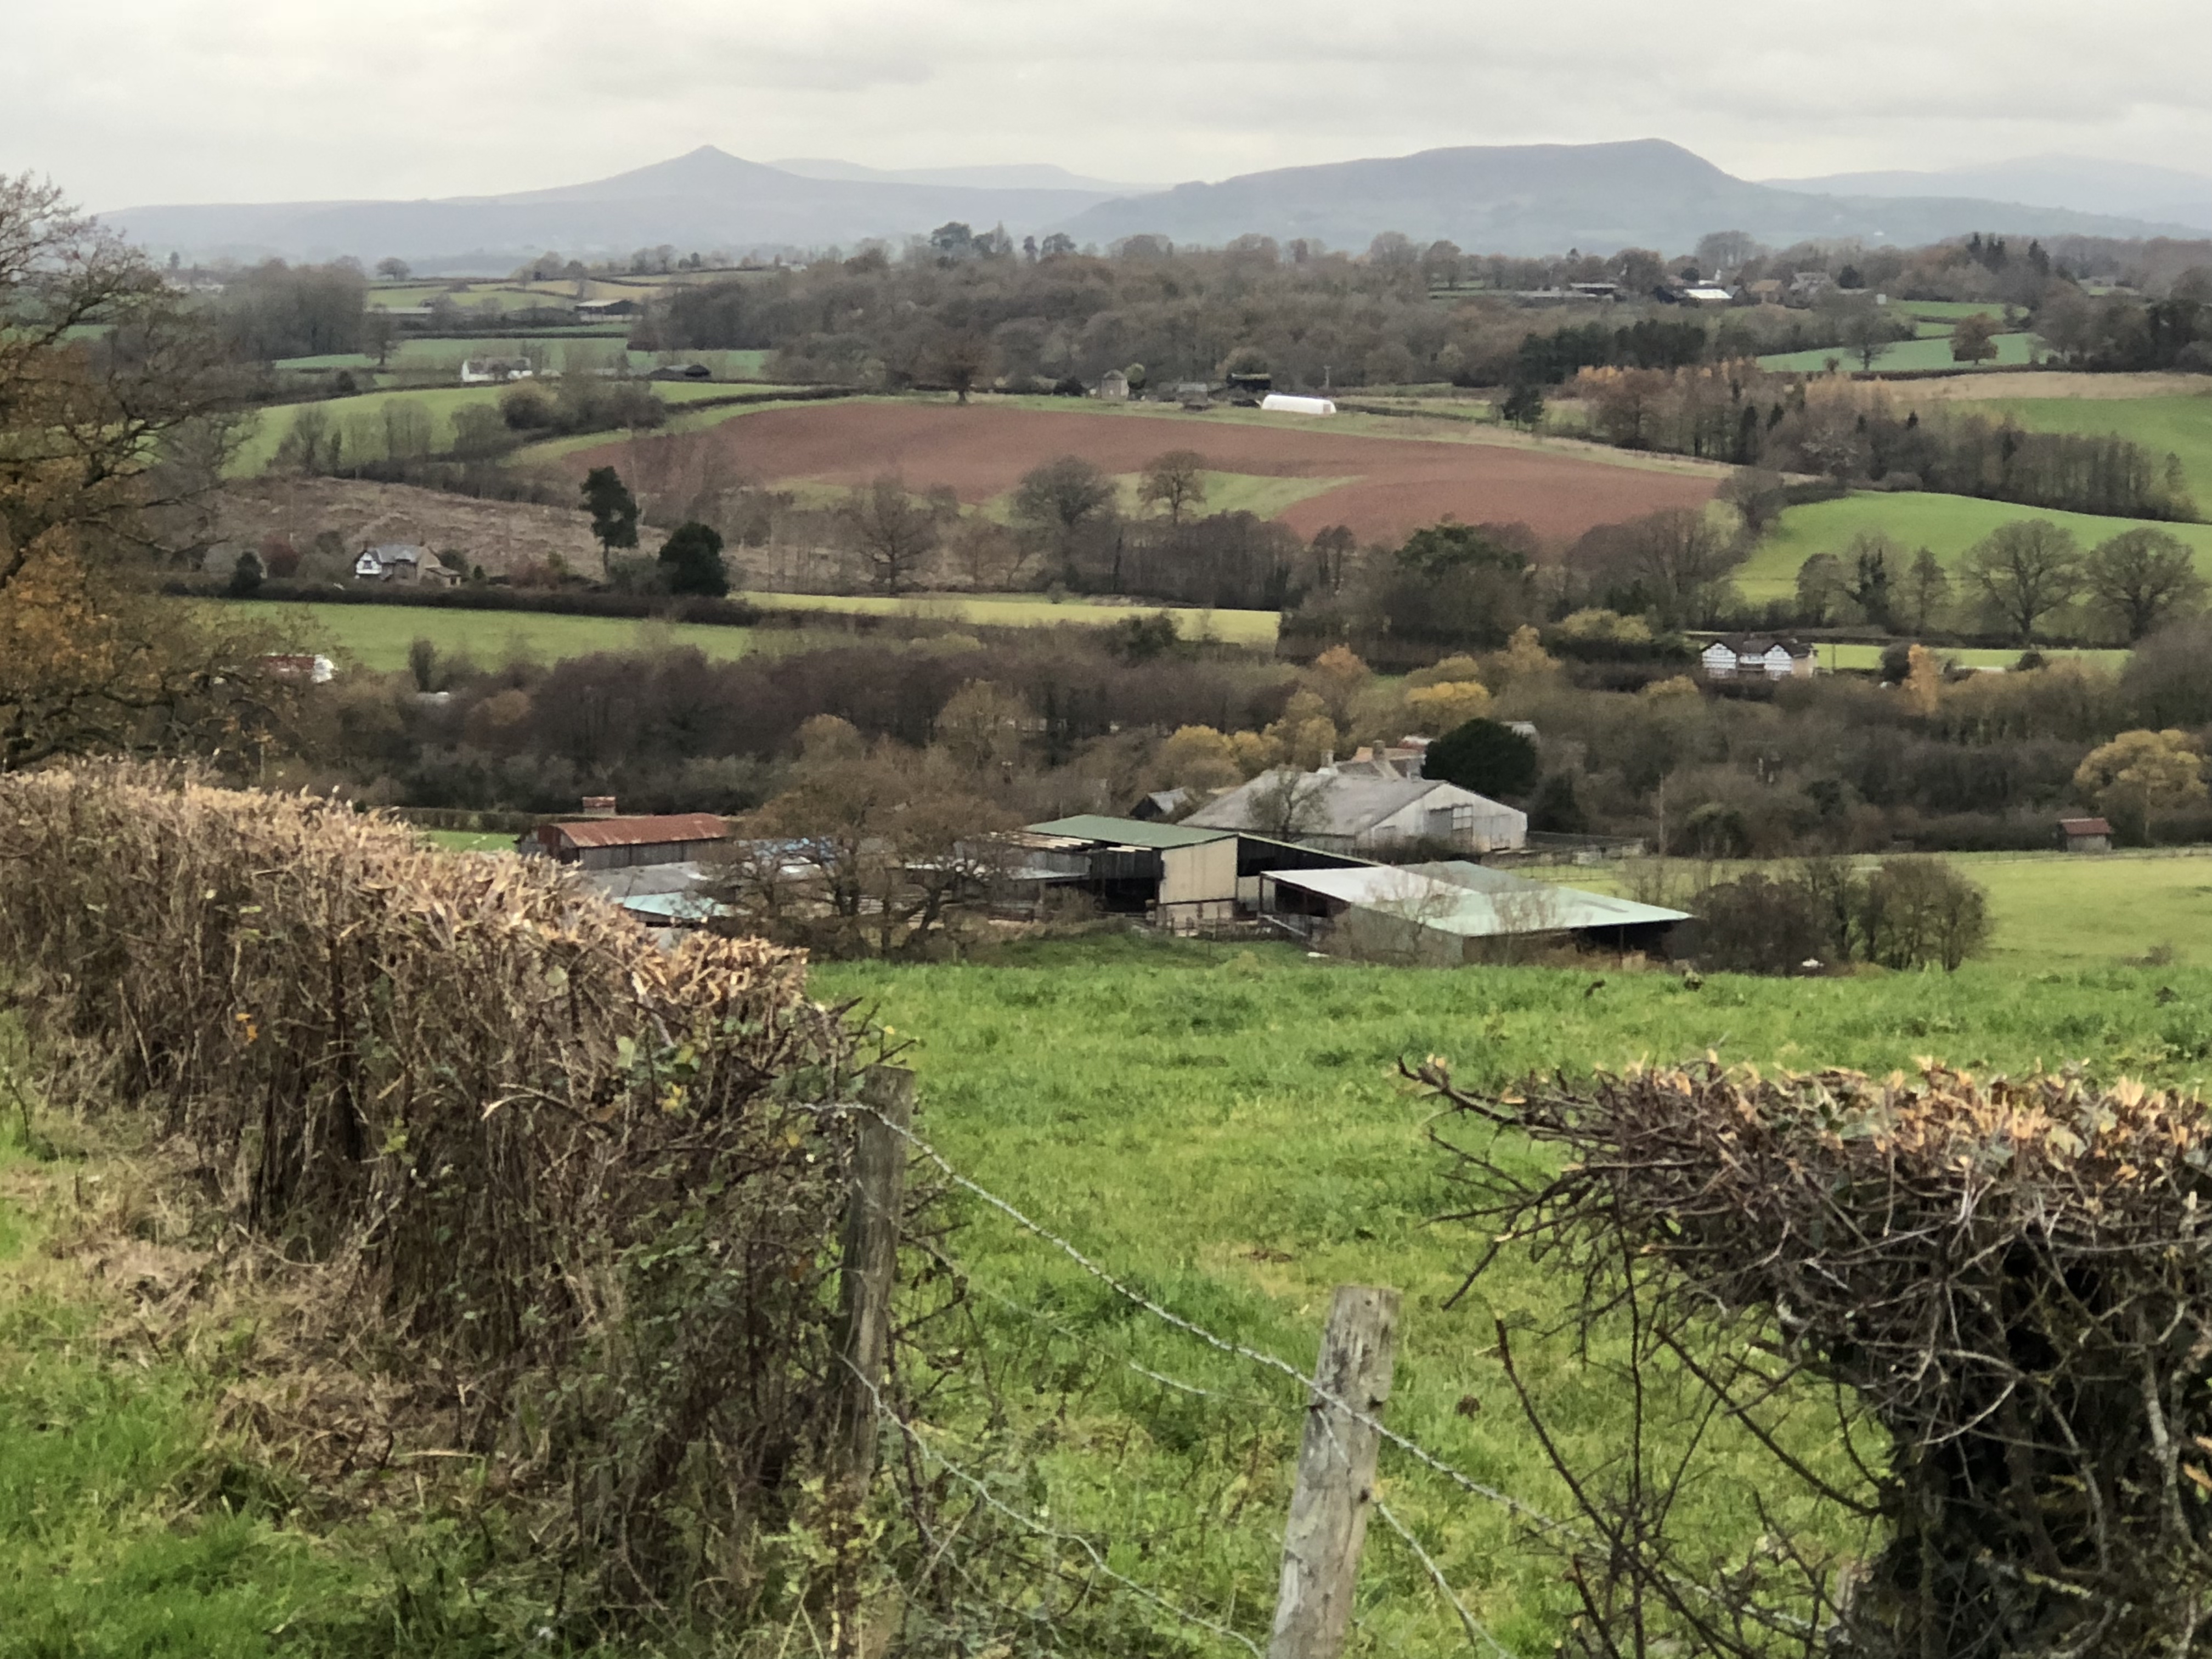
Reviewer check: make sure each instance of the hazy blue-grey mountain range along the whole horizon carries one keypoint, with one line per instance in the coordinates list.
(1514, 200)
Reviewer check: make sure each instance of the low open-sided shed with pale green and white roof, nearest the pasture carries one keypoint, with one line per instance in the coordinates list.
(1454, 912)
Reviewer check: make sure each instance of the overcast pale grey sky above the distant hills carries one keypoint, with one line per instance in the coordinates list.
(262, 101)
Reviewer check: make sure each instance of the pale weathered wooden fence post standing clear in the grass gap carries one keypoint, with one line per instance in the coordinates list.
(1337, 1472)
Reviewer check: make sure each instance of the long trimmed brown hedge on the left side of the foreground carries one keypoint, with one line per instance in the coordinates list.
(565, 1173)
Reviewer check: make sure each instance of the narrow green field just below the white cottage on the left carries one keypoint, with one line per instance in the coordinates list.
(377, 636)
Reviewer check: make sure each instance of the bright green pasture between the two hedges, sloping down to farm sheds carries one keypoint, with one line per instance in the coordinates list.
(1224, 1129)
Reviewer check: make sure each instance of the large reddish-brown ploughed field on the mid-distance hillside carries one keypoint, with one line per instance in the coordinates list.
(1397, 483)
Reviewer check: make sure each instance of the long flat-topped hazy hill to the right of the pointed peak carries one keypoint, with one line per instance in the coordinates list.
(1547, 198)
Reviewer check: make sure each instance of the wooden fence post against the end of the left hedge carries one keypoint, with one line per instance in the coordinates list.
(868, 1277)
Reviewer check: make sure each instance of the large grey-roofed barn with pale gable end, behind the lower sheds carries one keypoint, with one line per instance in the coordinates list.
(1353, 815)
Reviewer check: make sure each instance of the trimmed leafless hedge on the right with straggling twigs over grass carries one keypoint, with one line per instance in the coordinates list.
(1963, 1317)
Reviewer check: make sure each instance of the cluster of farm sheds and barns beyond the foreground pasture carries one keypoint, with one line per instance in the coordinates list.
(1233, 868)
